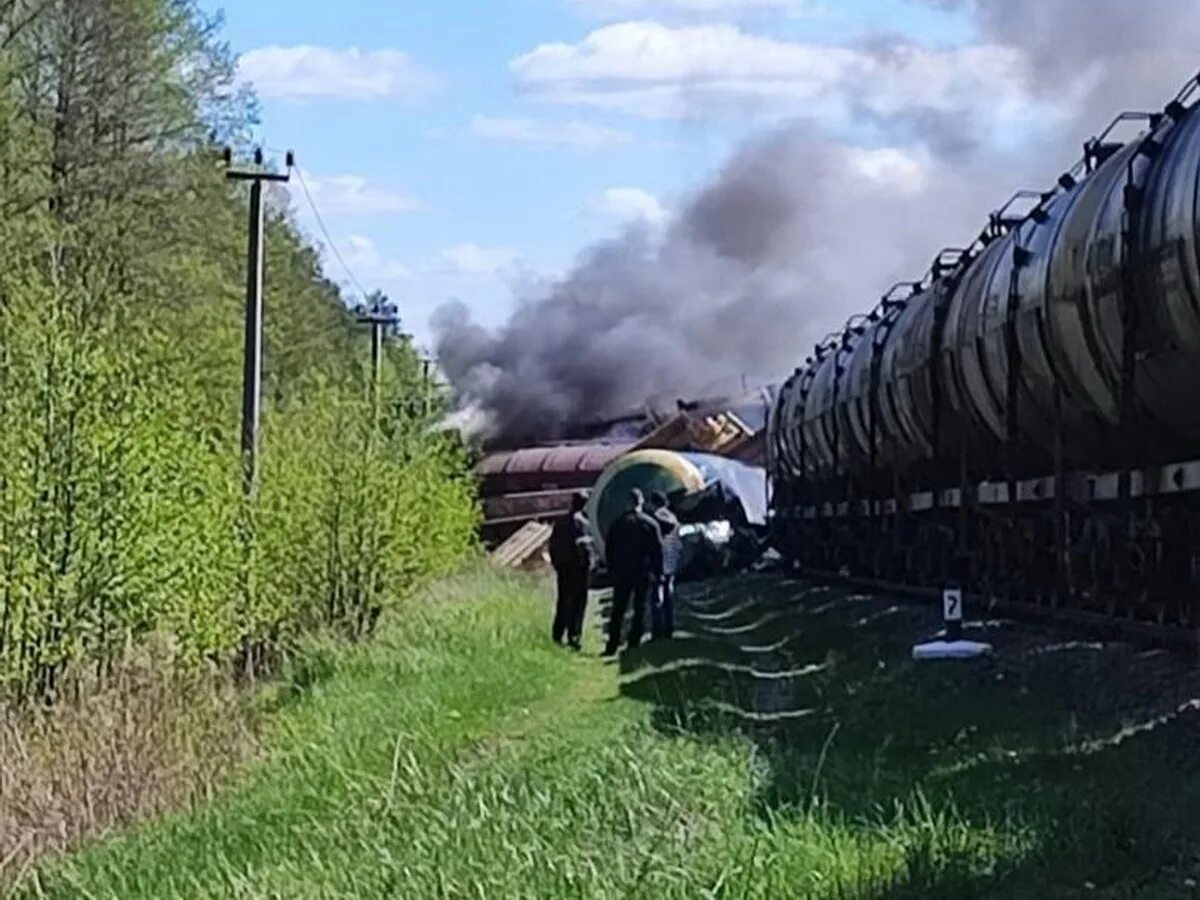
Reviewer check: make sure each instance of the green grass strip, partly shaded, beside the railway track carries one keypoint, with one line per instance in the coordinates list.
(464, 757)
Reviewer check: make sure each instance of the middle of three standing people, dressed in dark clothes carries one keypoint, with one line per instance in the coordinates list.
(634, 548)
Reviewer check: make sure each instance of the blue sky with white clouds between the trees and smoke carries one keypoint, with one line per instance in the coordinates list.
(458, 147)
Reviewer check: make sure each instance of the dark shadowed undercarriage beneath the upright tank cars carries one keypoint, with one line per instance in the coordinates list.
(1071, 544)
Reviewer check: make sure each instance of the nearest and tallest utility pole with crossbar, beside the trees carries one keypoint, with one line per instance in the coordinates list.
(253, 353)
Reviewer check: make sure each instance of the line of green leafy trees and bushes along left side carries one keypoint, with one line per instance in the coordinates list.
(122, 291)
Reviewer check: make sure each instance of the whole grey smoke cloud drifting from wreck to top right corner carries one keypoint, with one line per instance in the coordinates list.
(800, 230)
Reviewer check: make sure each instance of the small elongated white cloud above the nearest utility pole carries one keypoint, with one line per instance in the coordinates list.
(308, 71)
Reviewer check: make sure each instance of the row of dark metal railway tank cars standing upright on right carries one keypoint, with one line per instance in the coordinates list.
(1024, 422)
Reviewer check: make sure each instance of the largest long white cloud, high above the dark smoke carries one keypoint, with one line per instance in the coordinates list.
(694, 71)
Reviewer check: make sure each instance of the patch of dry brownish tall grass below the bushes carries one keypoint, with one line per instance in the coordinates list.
(153, 737)
